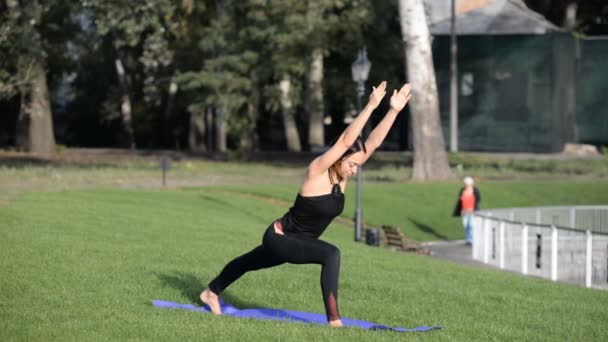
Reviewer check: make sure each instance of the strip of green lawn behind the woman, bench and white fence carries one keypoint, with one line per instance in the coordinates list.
(423, 211)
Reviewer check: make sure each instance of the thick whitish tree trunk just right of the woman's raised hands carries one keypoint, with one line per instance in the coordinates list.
(430, 158)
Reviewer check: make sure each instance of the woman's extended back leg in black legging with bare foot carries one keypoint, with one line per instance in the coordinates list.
(256, 259)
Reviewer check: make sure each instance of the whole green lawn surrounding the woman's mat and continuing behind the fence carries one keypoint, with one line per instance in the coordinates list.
(84, 265)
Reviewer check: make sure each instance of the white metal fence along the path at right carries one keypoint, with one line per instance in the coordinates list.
(568, 244)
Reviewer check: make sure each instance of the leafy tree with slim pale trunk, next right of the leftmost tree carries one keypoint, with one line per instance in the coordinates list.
(140, 34)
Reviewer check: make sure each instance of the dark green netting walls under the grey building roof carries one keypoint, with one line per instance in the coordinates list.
(525, 93)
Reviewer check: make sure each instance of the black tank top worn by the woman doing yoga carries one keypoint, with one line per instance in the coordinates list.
(311, 215)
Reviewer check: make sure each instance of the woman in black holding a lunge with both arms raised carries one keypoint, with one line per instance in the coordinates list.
(294, 238)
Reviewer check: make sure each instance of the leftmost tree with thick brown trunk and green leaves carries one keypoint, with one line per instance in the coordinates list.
(23, 72)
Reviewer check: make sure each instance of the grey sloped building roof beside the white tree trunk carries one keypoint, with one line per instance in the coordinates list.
(497, 17)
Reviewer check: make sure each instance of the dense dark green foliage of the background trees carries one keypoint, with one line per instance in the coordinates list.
(226, 54)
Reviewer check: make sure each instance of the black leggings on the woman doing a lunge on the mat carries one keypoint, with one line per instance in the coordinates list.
(292, 248)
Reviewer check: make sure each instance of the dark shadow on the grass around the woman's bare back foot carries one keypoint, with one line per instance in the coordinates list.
(191, 286)
